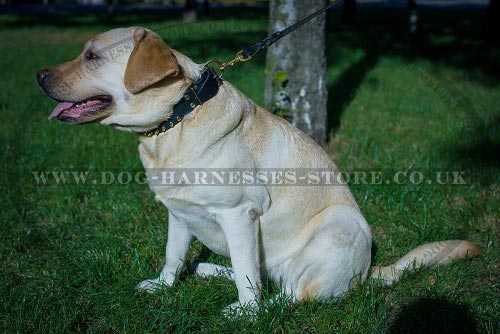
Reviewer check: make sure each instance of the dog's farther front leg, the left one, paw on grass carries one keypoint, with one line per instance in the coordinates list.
(178, 241)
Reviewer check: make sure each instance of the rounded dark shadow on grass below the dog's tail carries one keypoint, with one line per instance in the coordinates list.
(434, 315)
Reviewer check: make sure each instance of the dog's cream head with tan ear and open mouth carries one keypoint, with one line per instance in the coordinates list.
(126, 77)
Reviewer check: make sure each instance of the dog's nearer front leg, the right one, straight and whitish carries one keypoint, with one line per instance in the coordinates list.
(241, 230)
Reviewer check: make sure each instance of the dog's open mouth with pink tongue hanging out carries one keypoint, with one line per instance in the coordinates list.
(73, 111)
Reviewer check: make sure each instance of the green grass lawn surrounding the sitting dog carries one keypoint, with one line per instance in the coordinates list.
(71, 256)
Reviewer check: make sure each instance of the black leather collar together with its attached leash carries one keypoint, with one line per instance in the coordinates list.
(208, 84)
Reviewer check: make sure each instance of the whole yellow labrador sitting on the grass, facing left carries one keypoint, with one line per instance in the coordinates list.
(312, 239)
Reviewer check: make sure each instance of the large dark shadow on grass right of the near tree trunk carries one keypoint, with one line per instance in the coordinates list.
(459, 41)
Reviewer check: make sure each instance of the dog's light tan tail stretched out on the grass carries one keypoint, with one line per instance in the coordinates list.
(428, 255)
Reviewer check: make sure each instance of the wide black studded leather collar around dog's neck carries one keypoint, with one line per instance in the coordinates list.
(198, 93)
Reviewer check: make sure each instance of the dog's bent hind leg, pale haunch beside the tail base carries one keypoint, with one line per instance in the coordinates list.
(336, 257)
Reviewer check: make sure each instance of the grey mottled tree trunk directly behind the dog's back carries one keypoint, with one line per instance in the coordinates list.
(296, 68)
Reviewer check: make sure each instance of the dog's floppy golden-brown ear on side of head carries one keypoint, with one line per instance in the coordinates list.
(150, 61)
